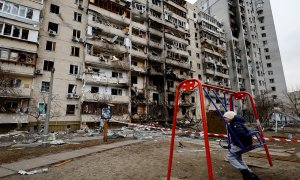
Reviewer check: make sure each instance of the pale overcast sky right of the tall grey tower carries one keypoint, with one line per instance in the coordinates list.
(285, 15)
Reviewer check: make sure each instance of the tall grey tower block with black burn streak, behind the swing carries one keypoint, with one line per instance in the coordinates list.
(255, 63)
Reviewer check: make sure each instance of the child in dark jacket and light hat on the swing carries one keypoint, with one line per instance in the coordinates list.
(237, 124)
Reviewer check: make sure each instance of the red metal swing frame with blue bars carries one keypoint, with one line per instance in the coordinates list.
(190, 85)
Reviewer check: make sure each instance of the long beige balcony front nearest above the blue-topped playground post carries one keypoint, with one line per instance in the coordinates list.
(92, 97)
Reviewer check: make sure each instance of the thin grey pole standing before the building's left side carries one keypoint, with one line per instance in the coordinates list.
(46, 127)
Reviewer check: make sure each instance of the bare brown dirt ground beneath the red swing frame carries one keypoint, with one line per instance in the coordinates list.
(149, 160)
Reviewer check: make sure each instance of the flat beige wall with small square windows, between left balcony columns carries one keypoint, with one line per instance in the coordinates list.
(61, 57)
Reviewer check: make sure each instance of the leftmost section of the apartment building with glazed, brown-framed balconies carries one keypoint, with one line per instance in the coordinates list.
(19, 30)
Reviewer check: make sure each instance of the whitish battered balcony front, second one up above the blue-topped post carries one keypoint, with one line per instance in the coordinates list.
(95, 79)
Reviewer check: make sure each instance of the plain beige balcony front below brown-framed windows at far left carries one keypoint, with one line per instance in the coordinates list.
(20, 69)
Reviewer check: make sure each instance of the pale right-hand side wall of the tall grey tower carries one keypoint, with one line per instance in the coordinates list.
(265, 20)
